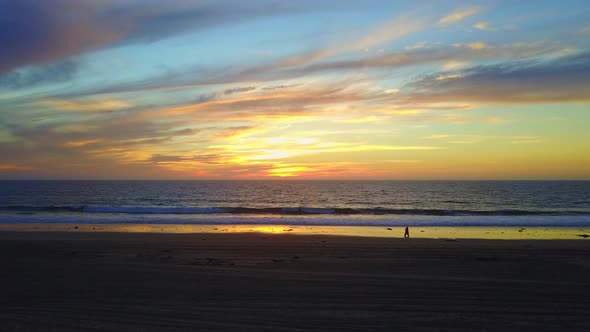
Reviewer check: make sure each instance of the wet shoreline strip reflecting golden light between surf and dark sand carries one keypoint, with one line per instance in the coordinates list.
(427, 232)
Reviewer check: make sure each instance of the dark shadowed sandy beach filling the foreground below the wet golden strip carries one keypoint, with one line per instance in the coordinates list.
(99, 281)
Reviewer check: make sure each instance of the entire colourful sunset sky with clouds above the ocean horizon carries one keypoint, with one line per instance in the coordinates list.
(231, 89)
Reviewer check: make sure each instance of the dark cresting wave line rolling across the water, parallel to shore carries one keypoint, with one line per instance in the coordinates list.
(152, 210)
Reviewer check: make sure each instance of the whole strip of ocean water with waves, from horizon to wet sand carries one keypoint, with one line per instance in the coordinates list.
(292, 202)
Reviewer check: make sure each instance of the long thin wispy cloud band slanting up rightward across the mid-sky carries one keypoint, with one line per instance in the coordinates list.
(285, 70)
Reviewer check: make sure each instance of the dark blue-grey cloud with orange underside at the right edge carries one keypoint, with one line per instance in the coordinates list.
(565, 79)
